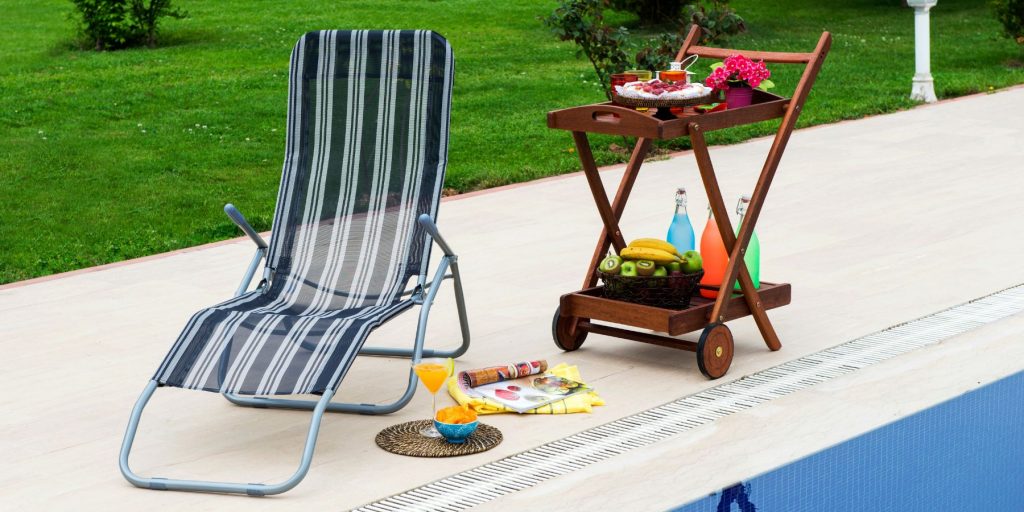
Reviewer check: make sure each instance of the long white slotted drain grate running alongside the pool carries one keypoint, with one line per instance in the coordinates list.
(529, 468)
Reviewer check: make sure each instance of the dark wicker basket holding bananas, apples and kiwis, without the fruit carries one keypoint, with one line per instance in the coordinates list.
(669, 291)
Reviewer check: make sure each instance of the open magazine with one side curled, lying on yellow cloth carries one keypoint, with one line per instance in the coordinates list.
(524, 394)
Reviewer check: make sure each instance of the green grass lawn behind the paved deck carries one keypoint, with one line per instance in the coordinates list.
(112, 156)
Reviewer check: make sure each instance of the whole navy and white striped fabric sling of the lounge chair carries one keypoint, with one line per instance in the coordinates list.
(368, 125)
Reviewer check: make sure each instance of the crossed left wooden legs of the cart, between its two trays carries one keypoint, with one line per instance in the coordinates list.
(611, 214)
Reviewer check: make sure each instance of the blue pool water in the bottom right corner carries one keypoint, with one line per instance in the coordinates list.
(964, 455)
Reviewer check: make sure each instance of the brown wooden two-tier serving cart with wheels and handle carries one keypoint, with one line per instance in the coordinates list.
(579, 313)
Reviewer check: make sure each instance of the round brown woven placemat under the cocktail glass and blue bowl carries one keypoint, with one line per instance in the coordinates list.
(405, 439)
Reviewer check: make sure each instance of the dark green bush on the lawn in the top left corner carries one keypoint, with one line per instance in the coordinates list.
(108, 25)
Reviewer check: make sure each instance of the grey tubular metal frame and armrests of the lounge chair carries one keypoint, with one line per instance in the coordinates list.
(422, 294)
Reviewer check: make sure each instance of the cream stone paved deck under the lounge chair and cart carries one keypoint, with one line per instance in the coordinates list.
(874, 222)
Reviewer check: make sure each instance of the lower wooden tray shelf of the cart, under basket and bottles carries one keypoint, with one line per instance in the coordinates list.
(590, 305)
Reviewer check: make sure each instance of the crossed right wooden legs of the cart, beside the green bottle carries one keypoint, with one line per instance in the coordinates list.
(737, 248)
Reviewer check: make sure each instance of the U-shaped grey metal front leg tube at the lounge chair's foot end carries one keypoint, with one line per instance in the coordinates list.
(217, 487)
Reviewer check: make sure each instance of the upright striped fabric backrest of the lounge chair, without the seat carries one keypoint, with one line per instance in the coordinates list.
(367, 149)
